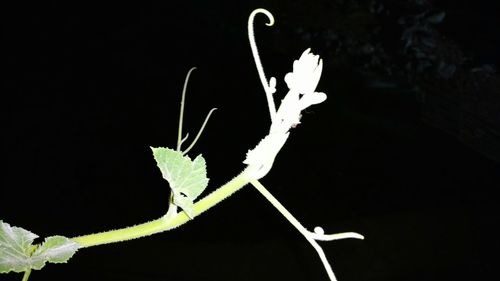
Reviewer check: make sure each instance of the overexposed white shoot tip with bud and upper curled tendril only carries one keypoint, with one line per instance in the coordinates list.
(302, 83)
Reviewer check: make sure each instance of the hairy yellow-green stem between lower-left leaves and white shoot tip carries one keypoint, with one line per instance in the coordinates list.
(164, 223)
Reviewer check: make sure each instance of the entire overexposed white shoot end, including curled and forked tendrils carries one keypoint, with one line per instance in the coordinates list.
(302, 83)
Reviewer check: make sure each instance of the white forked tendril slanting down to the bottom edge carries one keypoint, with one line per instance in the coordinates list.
(311, 237)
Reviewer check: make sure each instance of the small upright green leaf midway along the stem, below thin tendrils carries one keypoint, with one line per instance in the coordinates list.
(187, 178)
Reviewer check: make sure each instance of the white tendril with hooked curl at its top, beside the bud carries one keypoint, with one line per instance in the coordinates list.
(268, 86)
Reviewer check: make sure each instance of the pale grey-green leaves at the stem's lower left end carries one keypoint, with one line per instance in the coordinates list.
(18, 254)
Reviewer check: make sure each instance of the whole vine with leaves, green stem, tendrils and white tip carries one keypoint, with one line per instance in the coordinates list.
(187, 177)
